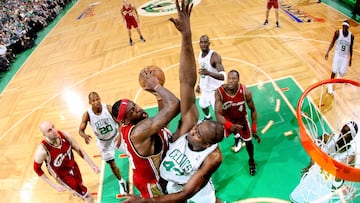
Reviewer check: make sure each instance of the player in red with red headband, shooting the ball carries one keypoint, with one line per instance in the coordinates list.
(145, 138)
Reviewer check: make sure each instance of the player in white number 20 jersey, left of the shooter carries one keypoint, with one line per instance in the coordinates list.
(106, 130)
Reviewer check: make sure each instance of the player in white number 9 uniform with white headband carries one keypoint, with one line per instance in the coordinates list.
(343, 40)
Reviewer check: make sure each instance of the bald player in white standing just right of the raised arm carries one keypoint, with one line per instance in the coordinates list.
(212, 75)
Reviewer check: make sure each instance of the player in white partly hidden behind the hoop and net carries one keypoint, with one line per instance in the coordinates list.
(316, 184)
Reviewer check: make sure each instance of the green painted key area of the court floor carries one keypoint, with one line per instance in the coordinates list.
(280, 156)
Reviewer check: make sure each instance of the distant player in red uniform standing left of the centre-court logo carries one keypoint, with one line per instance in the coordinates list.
(131, 18)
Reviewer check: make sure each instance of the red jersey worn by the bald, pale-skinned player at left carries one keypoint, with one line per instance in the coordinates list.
(60, 160)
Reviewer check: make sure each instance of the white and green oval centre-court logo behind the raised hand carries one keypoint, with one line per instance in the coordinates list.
(160, 7)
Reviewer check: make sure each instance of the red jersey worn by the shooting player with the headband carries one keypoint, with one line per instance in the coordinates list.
(146, 169)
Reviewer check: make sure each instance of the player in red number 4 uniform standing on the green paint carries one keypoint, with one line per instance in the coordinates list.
(230, 110)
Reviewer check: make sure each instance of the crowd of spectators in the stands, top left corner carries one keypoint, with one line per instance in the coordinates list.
(20, 21)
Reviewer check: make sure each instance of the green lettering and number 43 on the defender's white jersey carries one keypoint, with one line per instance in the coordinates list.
(178, 162)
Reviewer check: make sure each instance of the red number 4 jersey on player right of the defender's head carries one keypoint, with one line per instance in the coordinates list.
(234, 108)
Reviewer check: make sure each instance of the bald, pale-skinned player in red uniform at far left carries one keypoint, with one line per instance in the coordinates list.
(56, 151)
